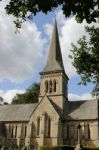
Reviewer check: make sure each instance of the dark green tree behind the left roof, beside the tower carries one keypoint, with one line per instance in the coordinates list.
(30, 96)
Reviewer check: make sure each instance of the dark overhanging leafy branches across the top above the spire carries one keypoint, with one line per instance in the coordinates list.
(27, 9)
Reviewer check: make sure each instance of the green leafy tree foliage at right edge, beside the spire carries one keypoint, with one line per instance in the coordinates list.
(85, 57)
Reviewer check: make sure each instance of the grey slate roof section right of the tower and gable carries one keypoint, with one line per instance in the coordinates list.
(81, 110)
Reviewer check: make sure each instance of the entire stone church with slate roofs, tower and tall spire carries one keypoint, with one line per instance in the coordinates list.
(54, 120)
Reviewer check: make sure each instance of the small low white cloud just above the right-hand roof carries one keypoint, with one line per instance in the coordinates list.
(85, 96)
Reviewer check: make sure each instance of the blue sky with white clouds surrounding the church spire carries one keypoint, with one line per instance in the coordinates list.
(23, 55)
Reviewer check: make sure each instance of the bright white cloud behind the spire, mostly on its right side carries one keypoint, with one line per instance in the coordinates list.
(70, 31)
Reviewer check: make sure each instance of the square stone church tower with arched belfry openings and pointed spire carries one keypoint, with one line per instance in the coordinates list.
(54, 81)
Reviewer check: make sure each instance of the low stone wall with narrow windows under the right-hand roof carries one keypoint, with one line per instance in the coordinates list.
(88, 133)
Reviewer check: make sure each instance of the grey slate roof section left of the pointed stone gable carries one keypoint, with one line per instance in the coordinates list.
(20, 112)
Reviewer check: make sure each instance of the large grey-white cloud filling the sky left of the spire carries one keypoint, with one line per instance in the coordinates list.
(20, 54)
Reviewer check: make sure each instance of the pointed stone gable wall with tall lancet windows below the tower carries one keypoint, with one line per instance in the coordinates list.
(44, 108)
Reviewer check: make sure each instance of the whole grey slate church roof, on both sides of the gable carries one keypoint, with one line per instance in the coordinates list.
(74, 110)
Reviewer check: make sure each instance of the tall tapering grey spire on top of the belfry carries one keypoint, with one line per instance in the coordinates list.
(54, 60)
